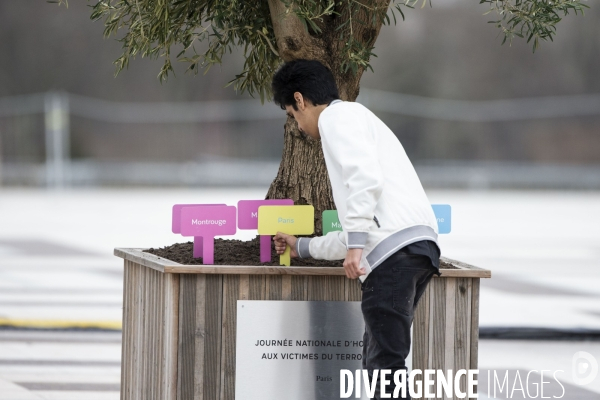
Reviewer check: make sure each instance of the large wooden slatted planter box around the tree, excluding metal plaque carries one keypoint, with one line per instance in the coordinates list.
(179, 321)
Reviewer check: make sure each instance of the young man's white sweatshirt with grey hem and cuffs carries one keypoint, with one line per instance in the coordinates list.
(381, 204)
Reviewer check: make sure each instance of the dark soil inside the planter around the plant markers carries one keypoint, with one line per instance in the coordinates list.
(237, 252)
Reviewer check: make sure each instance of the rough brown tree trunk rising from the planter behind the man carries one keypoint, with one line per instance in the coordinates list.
(302, 174)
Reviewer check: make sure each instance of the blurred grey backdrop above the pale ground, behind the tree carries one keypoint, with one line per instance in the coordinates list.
(470, 112)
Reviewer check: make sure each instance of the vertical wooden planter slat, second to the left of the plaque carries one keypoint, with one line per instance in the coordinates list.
(212, 343)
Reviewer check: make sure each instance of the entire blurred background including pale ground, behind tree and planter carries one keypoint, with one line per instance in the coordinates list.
(90, 161)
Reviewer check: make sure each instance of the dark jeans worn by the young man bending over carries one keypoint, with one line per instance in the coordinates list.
(390, 295)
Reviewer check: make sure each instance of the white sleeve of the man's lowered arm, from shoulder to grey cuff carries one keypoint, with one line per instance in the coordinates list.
(347, 139)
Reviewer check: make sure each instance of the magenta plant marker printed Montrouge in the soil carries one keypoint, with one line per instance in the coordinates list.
(208, 222)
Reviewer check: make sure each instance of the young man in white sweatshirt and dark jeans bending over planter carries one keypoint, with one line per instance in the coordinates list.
(389, 237)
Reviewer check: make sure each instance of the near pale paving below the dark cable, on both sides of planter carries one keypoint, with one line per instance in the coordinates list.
(85, 366)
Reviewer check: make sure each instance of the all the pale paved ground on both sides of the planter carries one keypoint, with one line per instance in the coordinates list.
(57, 269)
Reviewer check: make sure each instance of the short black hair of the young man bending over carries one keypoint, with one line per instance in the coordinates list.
(309, 77)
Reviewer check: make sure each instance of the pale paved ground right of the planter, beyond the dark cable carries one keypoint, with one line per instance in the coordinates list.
(543, 249)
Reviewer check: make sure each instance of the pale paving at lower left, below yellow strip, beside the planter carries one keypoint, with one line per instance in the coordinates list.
(59, 365)
